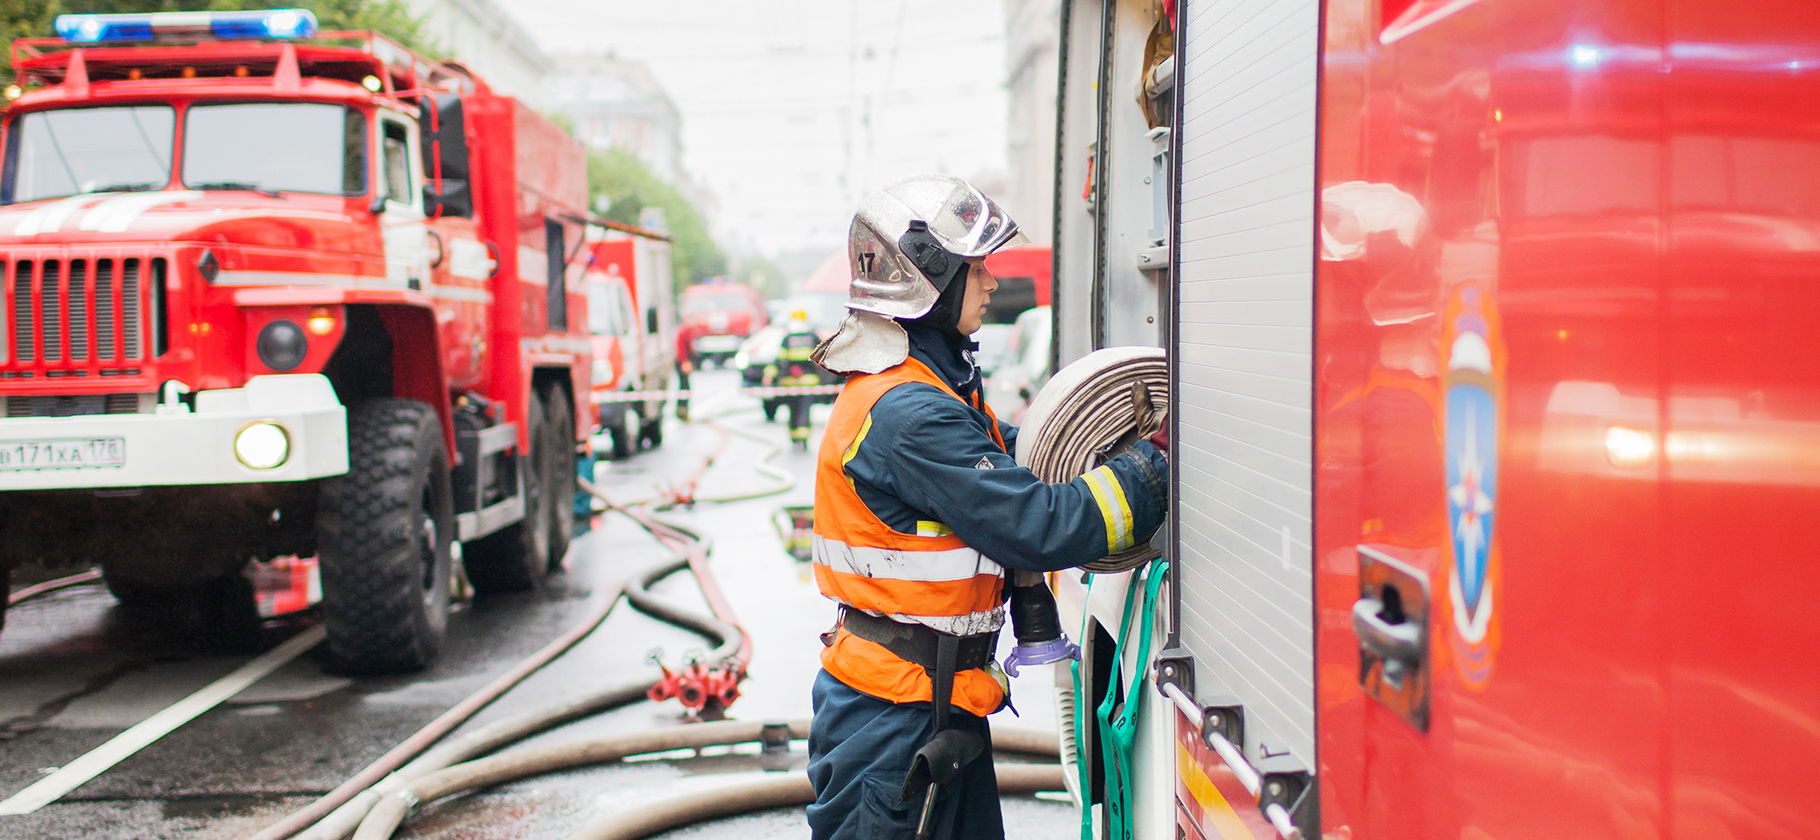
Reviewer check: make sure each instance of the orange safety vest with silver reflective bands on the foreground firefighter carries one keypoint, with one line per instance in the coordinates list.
(929, 577)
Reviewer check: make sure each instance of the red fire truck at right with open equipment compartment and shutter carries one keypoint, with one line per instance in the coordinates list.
(1497, 415)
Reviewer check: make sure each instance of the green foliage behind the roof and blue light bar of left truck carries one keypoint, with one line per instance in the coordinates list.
(32, 19)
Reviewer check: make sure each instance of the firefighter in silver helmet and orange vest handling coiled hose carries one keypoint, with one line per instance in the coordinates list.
(920, 512)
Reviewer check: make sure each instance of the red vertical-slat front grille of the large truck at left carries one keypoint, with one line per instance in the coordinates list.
(81, 315)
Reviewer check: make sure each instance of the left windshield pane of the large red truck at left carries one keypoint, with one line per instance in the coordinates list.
(88, 150)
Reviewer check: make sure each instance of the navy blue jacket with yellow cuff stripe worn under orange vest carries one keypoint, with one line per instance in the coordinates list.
(931, 459)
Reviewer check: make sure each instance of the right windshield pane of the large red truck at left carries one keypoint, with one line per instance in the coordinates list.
(276, 146)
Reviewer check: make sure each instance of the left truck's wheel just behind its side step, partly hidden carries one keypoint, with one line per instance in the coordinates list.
(516, 557)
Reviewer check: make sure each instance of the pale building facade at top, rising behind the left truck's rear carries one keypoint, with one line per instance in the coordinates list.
(487, 41)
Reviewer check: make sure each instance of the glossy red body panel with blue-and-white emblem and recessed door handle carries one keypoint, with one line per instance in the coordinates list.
(1623, 217)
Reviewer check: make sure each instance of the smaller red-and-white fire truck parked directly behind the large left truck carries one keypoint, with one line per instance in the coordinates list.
(632, 317)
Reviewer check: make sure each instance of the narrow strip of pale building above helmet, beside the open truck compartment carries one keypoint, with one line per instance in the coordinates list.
(1033, 35)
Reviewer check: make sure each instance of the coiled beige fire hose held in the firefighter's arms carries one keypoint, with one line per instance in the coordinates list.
(1084, 414)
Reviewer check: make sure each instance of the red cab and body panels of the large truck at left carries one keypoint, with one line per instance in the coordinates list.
(490, 334)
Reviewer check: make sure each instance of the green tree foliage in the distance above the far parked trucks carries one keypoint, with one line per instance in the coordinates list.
(631, 186)
